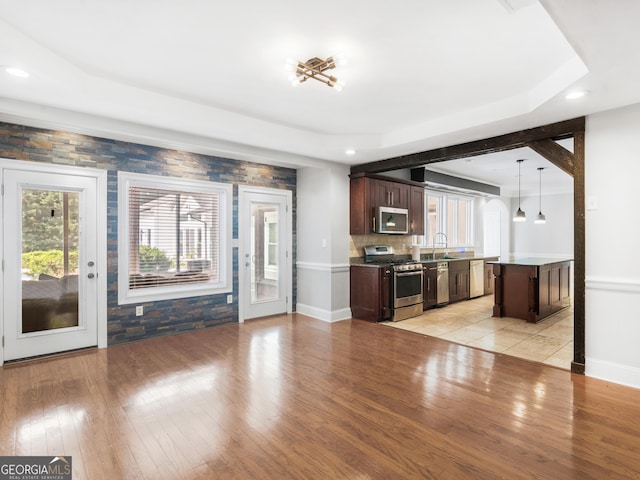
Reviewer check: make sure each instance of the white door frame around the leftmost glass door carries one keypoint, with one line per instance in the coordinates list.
(101, 234)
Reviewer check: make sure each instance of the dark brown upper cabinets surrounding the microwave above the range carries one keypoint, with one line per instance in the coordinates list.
(367, 192)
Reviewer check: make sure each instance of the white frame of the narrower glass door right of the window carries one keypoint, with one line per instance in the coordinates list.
(242, 233)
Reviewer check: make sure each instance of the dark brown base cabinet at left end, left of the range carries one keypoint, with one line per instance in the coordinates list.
(370, 292)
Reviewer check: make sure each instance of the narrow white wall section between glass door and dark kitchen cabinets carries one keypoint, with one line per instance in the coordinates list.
(323, 242)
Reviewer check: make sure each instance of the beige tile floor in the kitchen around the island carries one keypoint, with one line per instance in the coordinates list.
(470, 323)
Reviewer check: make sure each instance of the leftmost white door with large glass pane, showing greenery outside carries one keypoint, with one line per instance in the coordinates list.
(49, 249)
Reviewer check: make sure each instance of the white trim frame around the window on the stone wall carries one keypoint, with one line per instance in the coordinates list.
(126, 295)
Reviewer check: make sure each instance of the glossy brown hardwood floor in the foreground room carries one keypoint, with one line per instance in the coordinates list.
(293, 397)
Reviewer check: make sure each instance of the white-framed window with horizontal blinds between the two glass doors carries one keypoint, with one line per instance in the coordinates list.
(175, 237)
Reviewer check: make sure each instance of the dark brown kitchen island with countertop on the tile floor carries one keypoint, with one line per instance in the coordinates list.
(531, 288)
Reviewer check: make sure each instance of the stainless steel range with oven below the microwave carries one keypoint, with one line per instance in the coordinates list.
(406, 281)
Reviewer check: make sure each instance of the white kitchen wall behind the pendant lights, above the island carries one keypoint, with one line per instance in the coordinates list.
(552, 239)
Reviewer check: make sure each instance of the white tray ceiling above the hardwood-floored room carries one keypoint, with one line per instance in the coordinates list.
(209, 76)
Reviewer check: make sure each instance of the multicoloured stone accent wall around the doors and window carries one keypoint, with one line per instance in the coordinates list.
(162, 317)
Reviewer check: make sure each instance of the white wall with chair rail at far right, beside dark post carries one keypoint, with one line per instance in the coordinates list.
(612, 171)
